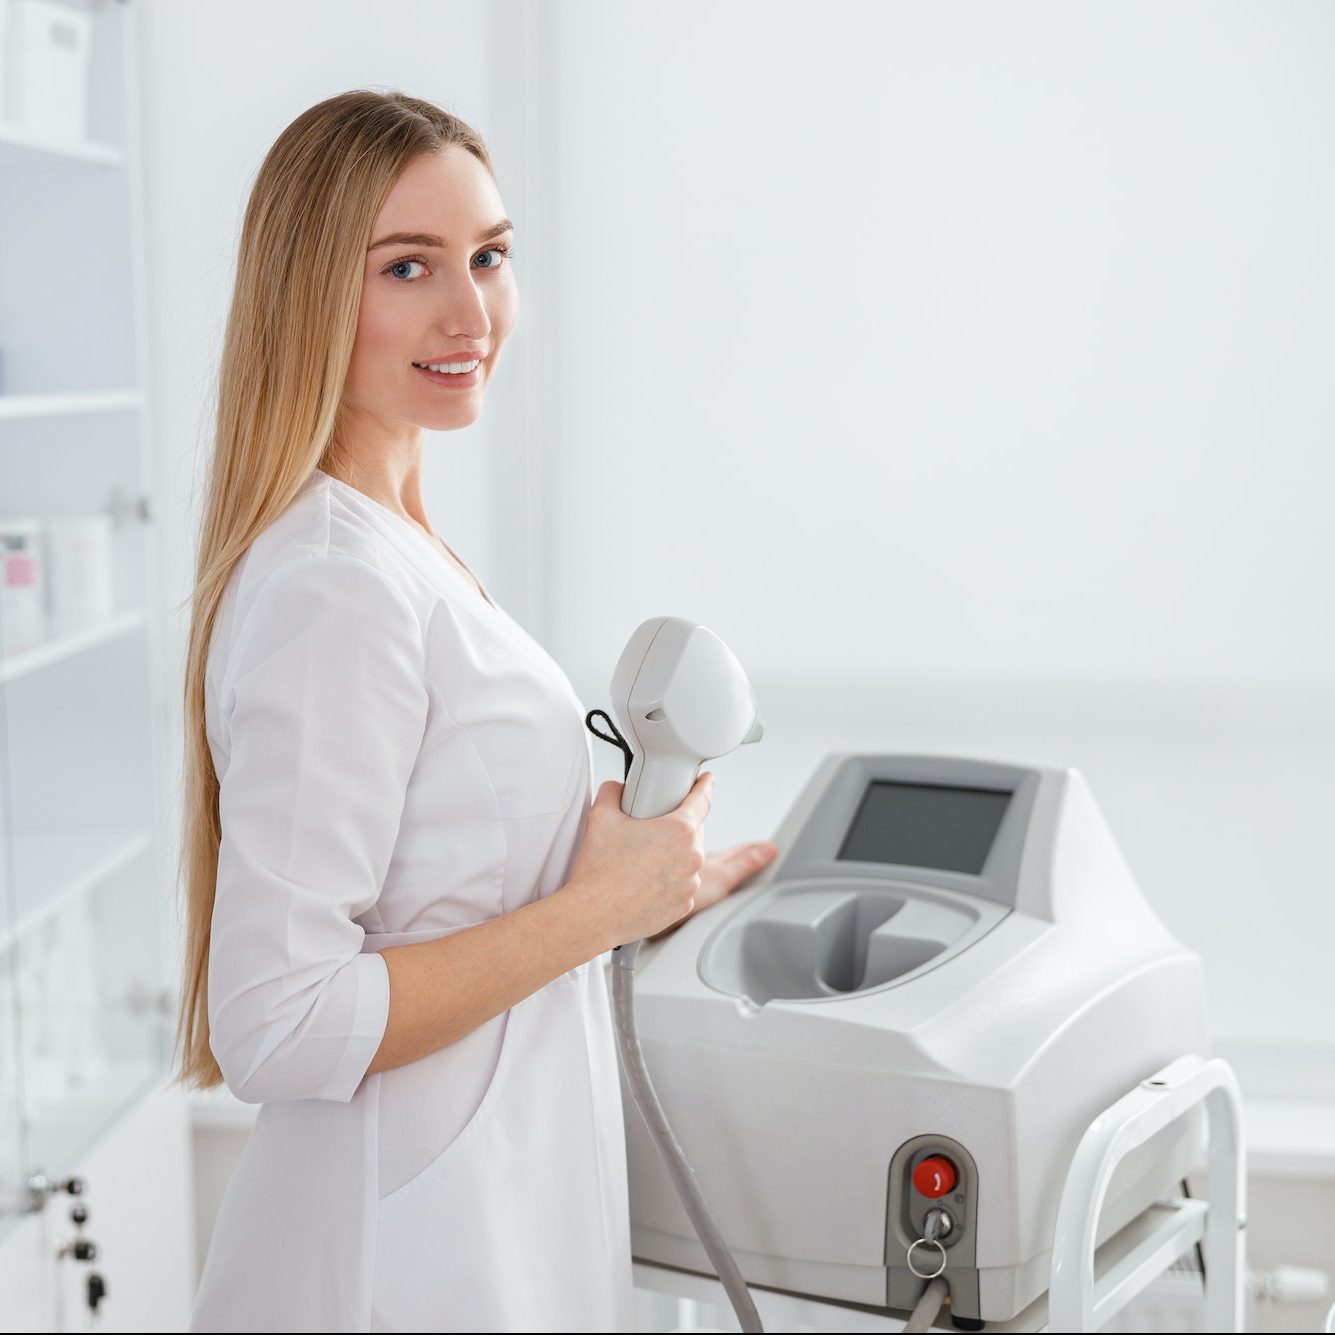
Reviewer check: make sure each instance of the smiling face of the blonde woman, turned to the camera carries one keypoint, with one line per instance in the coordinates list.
(447, 296)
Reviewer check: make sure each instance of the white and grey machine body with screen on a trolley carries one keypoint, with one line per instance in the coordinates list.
(950, 958)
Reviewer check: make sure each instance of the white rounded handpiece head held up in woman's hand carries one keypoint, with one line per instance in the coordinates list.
(682, 698)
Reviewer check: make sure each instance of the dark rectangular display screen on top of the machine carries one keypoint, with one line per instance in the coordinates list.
(926, 826)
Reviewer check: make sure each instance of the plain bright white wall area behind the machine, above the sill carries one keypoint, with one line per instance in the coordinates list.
(967, 369)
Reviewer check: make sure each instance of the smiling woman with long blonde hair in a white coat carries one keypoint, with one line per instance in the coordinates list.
(398, 894)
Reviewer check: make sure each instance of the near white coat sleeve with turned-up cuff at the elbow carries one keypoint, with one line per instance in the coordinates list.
(325, 707)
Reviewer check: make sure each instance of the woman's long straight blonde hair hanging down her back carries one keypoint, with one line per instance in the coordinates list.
(286, 352)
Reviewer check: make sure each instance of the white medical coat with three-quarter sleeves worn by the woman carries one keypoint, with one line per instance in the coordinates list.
(398, 760)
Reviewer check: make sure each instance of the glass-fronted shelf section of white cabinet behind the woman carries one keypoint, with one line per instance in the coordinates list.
(86, 812)
